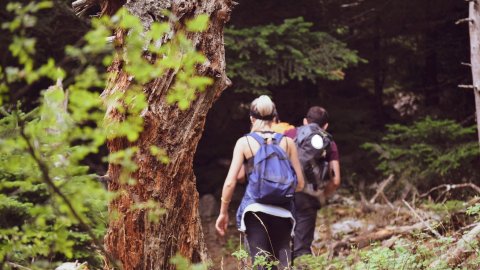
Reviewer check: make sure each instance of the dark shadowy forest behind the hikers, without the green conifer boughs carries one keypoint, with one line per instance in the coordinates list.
(409, 67)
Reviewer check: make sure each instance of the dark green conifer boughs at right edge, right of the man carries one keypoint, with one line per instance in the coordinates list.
(428, 151)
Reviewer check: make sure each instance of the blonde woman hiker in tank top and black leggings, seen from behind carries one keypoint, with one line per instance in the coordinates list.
(268, 227)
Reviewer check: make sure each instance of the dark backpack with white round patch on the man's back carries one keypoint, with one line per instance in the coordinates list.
(313, 143)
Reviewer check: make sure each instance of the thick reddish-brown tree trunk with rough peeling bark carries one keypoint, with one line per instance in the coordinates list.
(132, 239)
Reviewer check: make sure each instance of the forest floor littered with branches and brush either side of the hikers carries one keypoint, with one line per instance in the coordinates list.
(413, 233)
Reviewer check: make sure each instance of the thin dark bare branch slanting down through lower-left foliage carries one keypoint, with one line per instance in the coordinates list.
(46, 178)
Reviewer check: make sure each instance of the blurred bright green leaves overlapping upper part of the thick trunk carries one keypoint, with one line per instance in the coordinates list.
(178, 55)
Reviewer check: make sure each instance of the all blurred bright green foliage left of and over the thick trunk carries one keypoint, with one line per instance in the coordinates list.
(52, 207)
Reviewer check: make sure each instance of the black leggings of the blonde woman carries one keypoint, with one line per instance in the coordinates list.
(271, 234)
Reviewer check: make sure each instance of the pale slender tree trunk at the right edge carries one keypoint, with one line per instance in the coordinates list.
(475, 55)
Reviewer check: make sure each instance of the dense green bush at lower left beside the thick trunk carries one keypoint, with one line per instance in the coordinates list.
(40, 224)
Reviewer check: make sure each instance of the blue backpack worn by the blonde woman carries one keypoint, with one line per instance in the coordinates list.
(272, 179)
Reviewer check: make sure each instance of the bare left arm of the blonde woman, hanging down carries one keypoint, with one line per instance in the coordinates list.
(229, 187)
